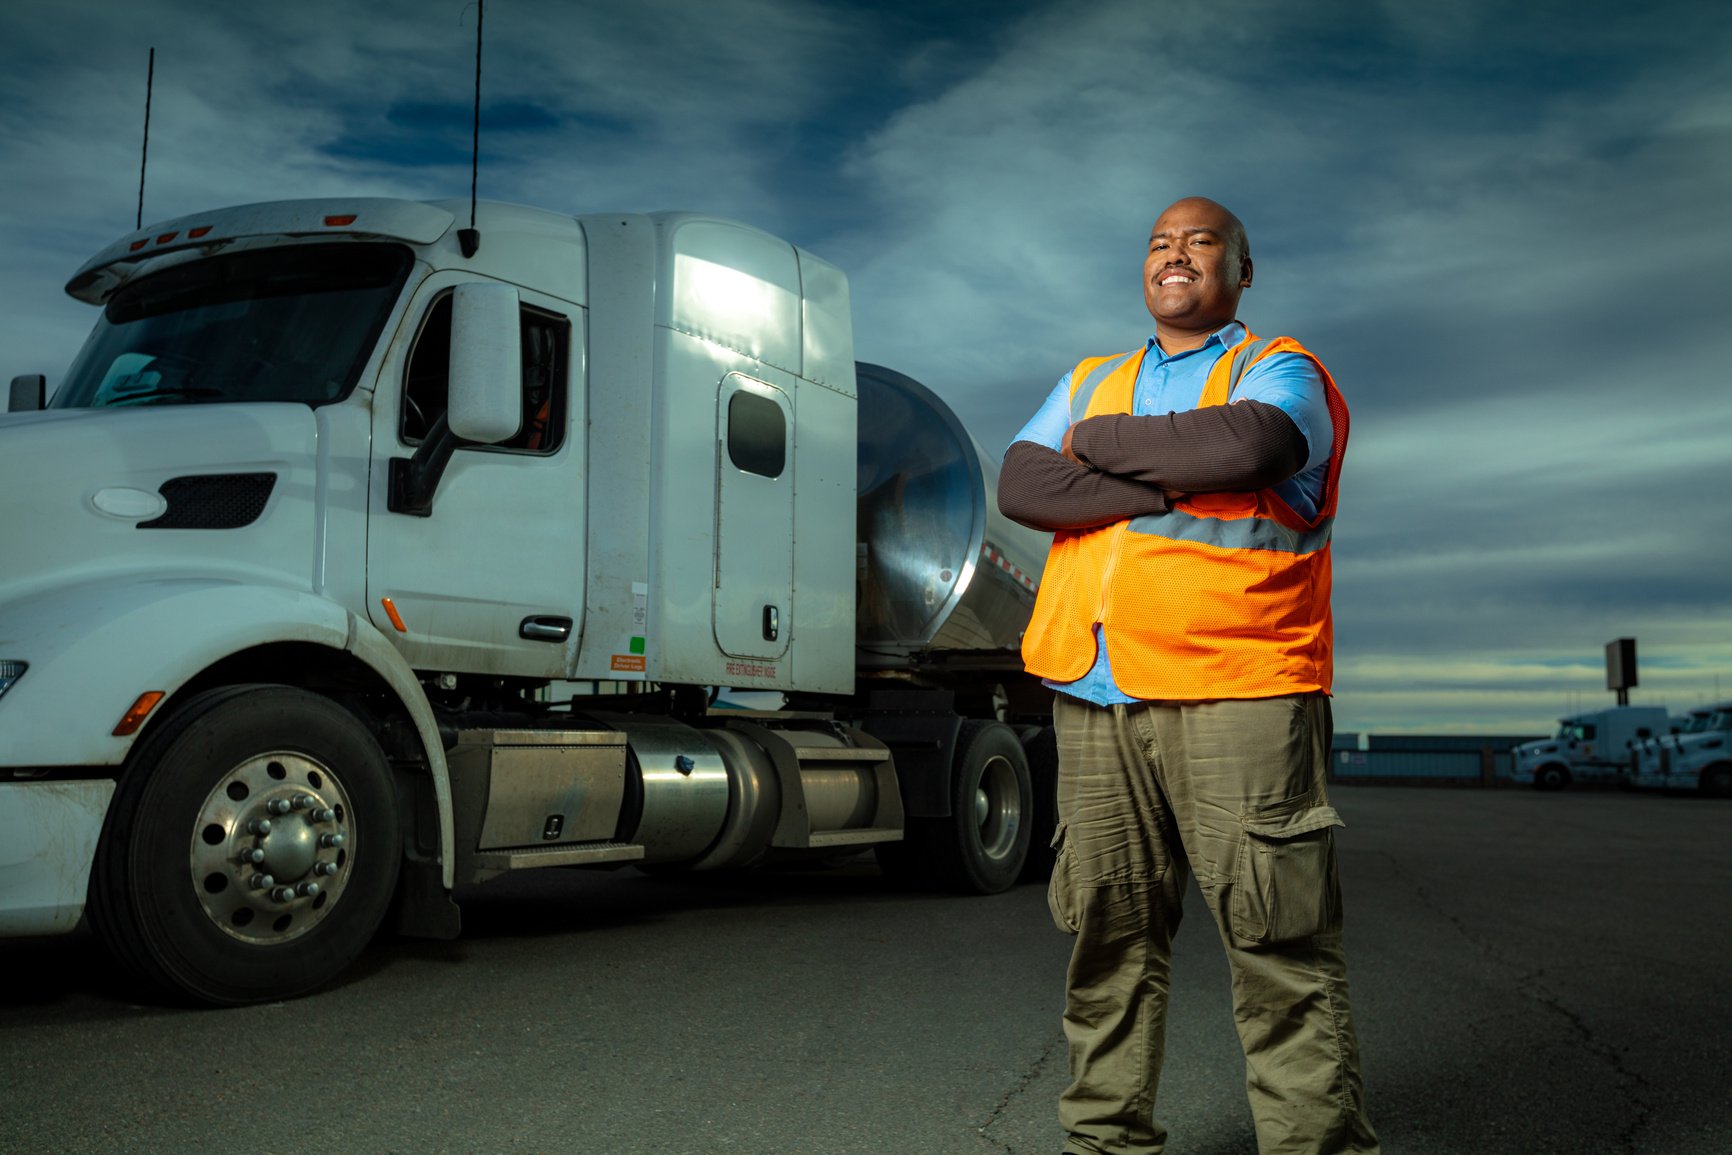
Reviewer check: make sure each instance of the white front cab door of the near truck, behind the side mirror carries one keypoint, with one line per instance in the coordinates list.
(493, 581)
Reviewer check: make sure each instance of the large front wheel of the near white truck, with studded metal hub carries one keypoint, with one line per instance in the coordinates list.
(252, 848)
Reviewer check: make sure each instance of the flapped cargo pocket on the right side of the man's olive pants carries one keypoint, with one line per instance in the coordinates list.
(1286, 881)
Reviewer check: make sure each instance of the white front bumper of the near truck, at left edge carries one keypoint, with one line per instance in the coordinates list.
(48, 841)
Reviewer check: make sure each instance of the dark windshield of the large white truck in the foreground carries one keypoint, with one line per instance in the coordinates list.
(283, 325)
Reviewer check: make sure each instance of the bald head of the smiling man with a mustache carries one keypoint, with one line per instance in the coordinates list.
(1196, 269)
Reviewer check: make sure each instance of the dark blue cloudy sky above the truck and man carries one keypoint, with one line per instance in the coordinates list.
(1503, 226)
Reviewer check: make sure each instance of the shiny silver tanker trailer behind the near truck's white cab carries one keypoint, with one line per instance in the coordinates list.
(938, 565)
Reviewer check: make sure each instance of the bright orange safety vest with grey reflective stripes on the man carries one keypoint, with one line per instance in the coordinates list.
(1220, 597)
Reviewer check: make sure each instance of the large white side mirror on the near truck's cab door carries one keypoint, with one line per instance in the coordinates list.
(486, 363)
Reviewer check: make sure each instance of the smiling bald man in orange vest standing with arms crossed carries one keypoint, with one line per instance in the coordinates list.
(1184, 621)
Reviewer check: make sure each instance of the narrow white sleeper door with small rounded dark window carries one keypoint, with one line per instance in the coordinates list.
(754, 520)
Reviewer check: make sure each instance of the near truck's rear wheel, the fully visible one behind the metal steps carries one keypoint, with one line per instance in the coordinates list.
(981, 848)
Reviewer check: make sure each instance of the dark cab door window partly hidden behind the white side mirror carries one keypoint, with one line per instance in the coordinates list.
(546, 347)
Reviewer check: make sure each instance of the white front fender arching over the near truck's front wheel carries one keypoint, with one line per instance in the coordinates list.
(96, 647)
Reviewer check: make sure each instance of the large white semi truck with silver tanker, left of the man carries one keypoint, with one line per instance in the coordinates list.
(342, 498)
